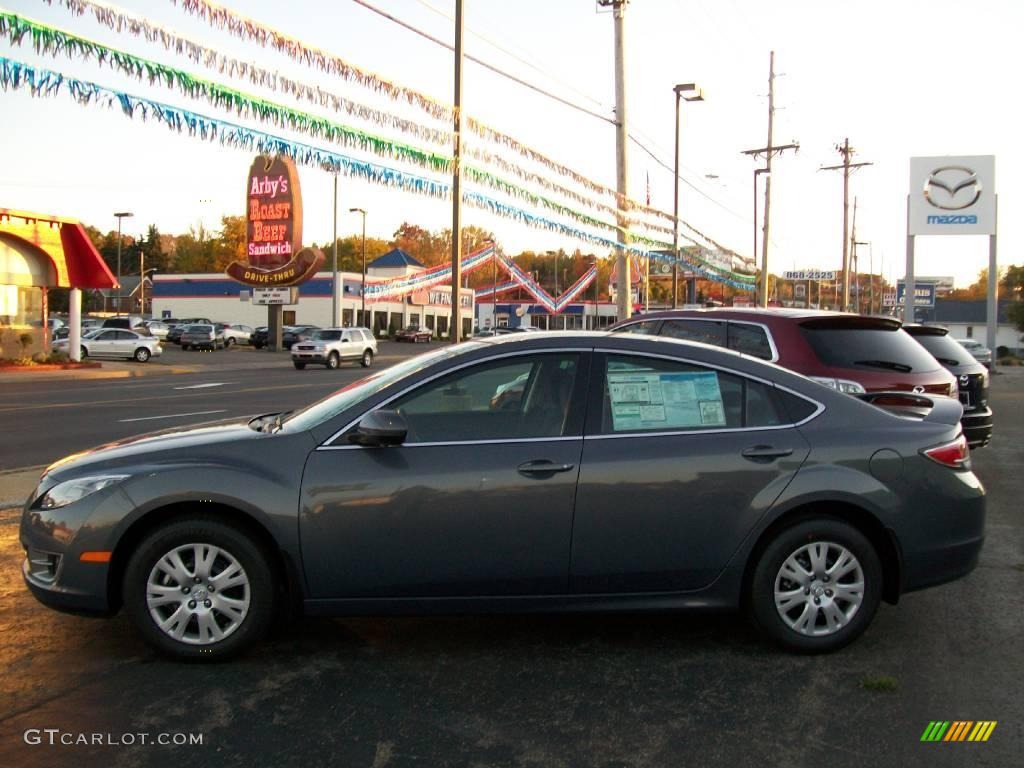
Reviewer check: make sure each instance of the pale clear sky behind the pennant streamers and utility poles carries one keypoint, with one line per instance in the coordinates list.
(899, 79)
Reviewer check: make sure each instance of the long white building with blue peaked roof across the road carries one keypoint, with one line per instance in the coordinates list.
(221, 298)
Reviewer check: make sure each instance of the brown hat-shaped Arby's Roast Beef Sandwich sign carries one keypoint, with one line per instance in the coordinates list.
(275, 255)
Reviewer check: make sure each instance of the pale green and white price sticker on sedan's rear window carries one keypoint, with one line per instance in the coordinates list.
(665, 401)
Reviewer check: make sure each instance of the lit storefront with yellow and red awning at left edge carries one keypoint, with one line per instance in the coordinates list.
(39, 252)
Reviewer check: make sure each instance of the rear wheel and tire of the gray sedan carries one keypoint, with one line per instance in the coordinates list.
(803, 613)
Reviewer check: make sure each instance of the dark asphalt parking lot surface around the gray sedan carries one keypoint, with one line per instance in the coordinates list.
(594, 691)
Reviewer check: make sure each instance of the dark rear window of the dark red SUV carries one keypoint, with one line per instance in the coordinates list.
(869, 349)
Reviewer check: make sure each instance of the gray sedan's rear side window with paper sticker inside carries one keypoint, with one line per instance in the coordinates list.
(647, 395)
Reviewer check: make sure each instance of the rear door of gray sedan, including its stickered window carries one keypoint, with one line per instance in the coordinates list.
(679, 463)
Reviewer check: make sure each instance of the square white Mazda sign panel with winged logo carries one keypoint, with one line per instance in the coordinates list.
(953, 196)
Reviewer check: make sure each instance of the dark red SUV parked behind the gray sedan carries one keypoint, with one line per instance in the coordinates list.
(849, 353)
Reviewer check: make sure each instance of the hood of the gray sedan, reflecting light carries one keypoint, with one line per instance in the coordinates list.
(169, 445)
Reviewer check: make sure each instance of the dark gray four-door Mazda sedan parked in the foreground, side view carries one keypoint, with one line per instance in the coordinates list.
(530, 473)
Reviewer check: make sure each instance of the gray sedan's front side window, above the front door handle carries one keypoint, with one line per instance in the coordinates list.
(519, 398)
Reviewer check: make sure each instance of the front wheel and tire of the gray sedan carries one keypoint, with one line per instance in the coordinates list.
(154, 590)
